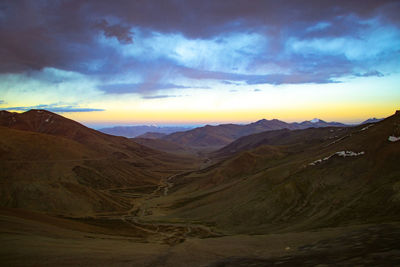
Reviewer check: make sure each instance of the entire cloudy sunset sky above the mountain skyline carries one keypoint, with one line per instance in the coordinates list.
(186, 62)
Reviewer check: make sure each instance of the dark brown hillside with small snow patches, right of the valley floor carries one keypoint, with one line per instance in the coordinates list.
(303, 181)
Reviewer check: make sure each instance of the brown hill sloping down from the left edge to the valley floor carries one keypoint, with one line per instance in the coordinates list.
(55, 165)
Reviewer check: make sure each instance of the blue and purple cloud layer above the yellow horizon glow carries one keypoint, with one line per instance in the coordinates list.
(154, 49)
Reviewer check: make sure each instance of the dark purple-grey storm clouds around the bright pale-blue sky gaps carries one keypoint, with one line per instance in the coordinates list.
(65, 35)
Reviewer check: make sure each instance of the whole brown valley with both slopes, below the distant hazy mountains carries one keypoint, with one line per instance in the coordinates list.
(279, 196)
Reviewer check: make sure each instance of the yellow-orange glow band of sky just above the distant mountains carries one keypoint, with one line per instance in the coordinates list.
(345, 114)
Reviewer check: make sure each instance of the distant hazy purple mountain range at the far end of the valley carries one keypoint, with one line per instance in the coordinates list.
(208, 138)
